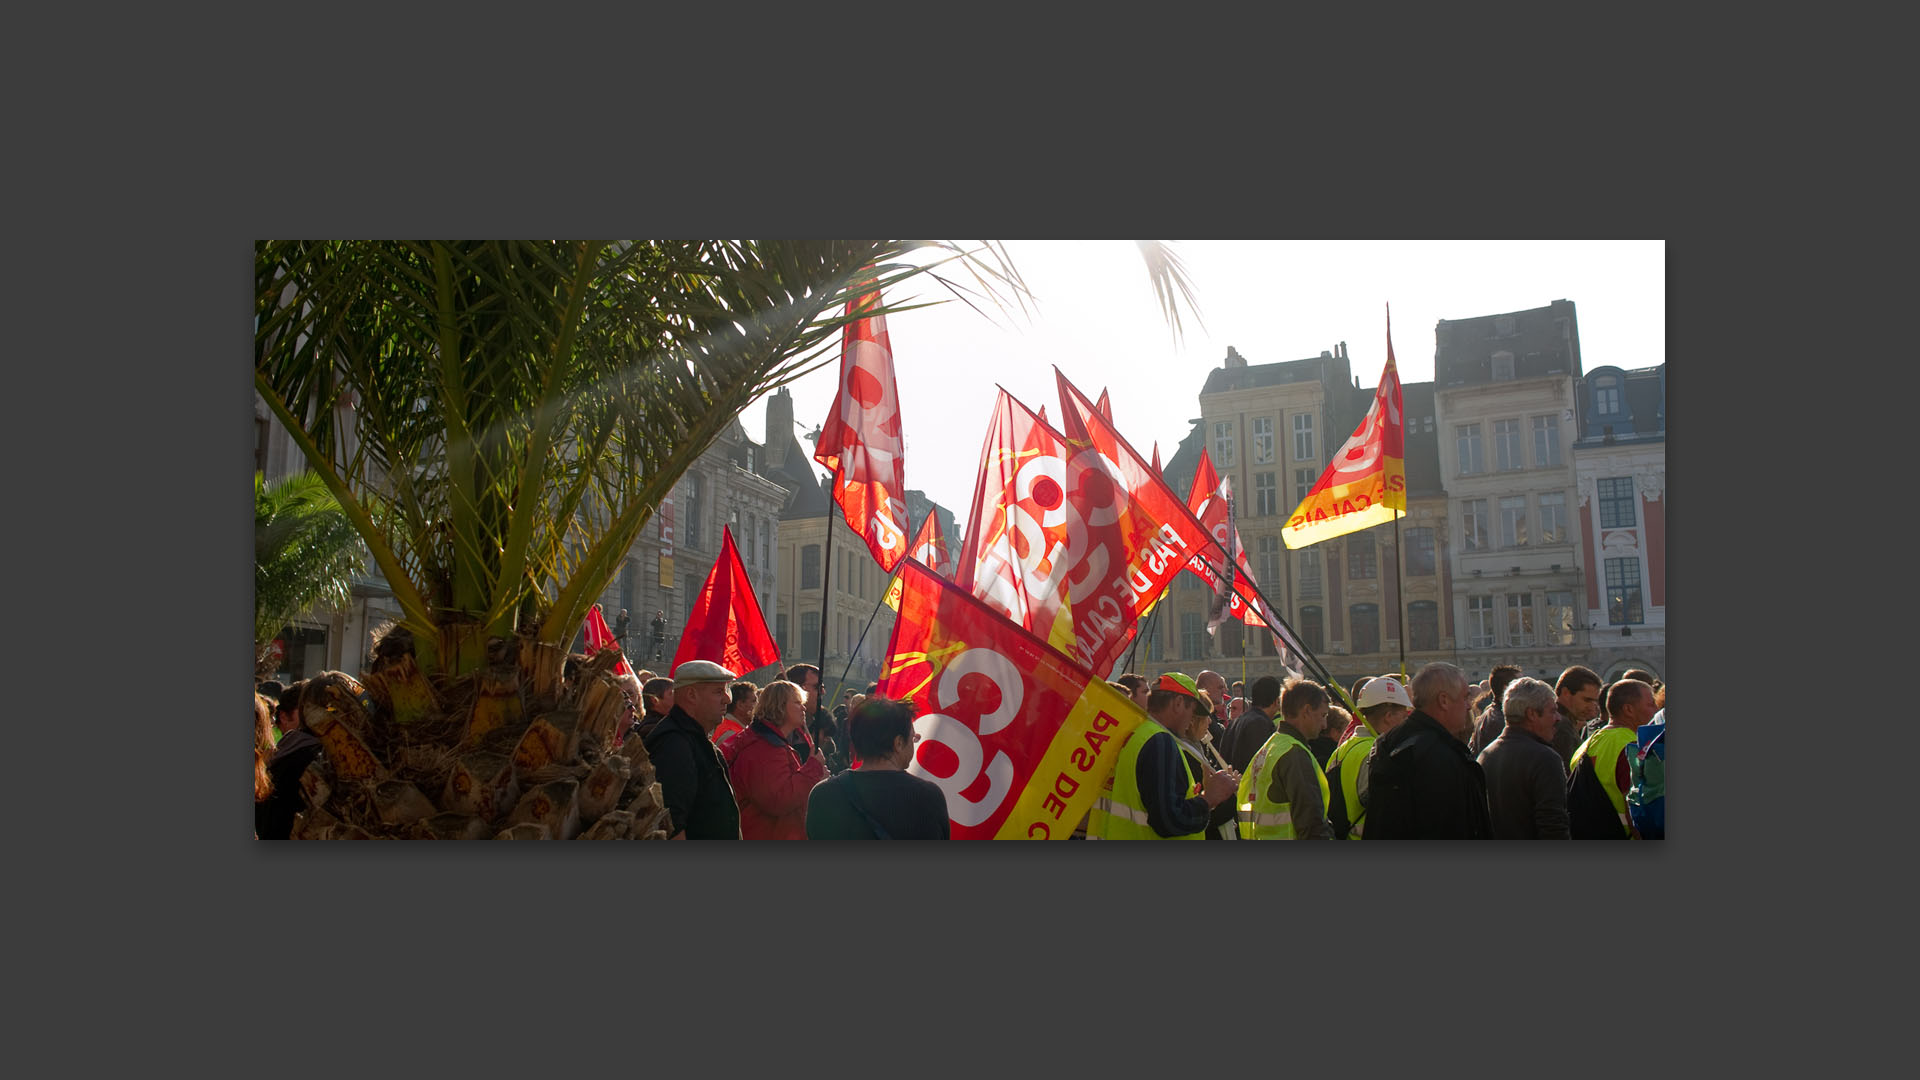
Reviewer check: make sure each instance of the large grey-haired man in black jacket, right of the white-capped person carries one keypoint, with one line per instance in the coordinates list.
(1422, 779)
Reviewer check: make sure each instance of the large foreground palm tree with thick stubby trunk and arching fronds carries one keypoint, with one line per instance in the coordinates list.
(498, 422)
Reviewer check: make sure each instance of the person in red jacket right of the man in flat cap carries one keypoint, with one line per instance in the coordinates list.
(771, 773)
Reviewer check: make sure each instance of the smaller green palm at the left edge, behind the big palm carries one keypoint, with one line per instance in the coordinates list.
(306, 554)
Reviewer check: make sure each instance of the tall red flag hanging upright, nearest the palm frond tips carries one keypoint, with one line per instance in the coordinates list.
(861, 443)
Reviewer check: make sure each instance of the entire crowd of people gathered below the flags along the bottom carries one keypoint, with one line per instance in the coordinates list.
(1424, 758)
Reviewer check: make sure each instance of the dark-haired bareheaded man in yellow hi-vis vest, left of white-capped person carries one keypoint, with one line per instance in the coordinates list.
(1284, 795)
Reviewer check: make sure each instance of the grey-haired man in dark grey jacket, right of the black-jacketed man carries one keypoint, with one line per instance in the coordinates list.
(1525, 779)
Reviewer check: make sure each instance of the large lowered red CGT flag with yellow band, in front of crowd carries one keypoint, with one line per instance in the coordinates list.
(1019, 737)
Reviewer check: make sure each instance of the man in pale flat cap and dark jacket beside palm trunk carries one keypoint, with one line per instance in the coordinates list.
(686, 762)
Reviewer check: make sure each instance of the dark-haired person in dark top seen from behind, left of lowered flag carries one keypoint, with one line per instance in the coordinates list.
(880, 800)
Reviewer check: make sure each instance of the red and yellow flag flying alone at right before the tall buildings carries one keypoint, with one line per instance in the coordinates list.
(1366, 483)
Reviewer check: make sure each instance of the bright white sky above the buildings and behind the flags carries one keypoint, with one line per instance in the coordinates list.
(1097, 320)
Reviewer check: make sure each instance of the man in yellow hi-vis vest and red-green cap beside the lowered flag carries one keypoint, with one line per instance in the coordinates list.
(1153, 793)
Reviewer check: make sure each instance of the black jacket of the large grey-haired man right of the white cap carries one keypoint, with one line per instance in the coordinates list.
(1426, 785)
